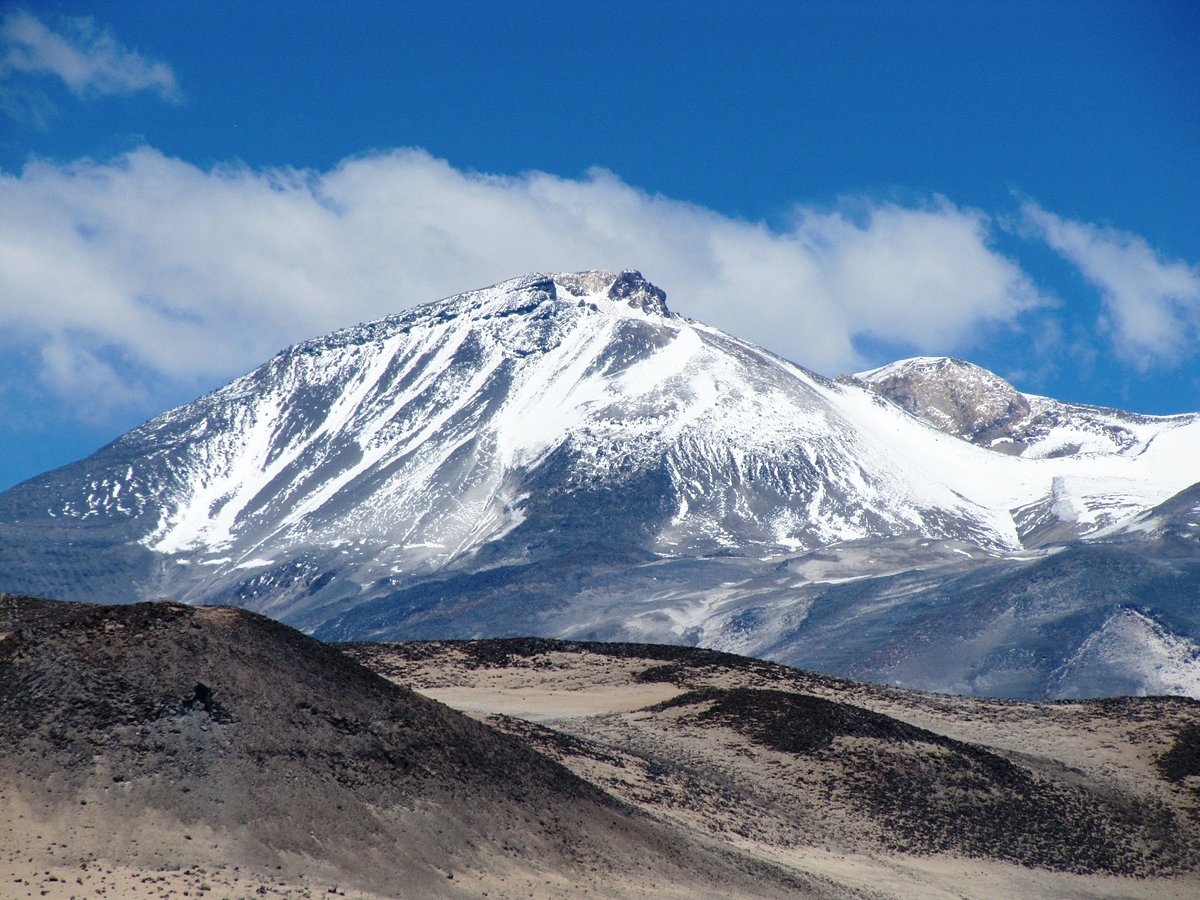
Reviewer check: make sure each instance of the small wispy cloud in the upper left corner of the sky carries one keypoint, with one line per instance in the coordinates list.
(87, 58)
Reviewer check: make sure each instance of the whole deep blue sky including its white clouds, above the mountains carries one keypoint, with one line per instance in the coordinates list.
(187, 189)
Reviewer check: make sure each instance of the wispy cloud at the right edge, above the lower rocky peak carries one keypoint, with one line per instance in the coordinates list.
(1153, 304)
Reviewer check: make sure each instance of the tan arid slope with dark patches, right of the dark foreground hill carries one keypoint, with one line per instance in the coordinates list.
(886, 793)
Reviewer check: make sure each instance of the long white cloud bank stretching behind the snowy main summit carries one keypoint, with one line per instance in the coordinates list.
(151, 265)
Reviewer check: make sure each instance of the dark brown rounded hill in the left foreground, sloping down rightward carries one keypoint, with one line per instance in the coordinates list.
(158, 749)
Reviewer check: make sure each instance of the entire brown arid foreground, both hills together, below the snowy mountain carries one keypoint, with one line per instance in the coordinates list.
(158, 749)
